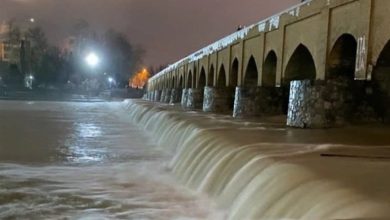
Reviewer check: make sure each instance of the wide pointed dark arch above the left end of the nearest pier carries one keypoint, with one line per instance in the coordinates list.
(300, 66)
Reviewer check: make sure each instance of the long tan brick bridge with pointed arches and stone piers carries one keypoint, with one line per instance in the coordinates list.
(322, 63)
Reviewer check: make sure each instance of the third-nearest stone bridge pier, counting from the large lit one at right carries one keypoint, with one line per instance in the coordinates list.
(217, 99)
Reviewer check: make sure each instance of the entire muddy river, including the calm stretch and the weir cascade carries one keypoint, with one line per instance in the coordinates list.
(136, 160)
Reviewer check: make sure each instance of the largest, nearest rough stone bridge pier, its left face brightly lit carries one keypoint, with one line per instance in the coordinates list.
(317, 104)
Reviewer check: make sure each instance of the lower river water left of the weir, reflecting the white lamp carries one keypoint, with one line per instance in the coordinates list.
(86, 161)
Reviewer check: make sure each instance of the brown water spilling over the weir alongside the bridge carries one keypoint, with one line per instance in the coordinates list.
(261, 170)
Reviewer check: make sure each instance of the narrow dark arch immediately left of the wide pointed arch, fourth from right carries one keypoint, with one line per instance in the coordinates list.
(269, 70)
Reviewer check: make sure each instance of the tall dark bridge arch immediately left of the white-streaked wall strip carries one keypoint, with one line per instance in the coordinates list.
(342, 58)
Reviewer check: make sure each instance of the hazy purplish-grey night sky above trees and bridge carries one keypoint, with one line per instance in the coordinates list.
(166, 29)
